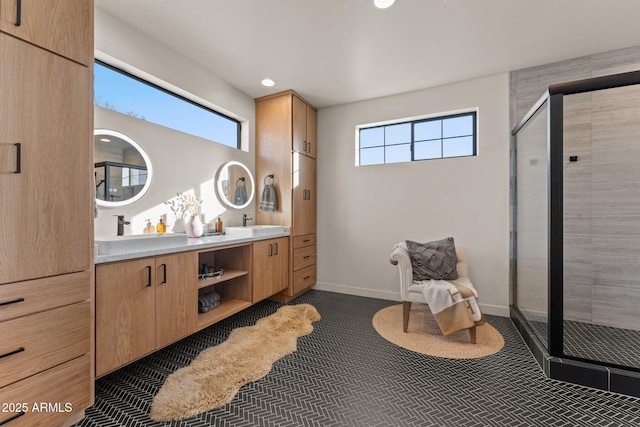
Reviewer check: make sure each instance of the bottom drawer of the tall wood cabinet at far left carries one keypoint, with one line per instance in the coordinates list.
(49, 398)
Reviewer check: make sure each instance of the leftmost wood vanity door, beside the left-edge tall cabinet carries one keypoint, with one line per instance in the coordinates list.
(125, 313)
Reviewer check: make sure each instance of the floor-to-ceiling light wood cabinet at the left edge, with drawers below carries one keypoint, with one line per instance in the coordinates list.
(46, 214)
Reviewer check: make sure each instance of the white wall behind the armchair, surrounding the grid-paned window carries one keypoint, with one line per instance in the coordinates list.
(364, 211)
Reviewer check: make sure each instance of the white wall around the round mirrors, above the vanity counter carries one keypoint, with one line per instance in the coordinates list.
(181, 162)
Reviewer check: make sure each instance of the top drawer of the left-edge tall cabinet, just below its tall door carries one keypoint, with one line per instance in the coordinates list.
(32, 296)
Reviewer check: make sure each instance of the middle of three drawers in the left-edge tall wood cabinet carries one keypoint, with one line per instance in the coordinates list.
(31, 344)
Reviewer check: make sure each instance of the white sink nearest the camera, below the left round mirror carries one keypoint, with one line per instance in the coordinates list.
(139, 242)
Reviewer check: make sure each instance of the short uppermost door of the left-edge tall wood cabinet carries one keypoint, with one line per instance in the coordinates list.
(61, 26)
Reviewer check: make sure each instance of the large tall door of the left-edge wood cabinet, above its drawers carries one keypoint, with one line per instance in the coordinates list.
(45, 163)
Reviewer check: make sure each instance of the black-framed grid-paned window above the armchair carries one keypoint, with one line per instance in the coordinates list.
(432, 138)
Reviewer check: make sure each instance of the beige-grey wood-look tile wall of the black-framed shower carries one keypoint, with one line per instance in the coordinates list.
(601, 189)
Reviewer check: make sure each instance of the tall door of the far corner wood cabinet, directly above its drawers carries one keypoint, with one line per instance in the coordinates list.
(304, 195)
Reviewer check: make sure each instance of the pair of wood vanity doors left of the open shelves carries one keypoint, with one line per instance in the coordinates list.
(143, 305)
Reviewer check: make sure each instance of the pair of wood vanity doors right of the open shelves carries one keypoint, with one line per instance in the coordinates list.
(270, 267)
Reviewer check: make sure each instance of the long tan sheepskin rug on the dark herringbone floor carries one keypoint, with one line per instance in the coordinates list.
(215, 376)
